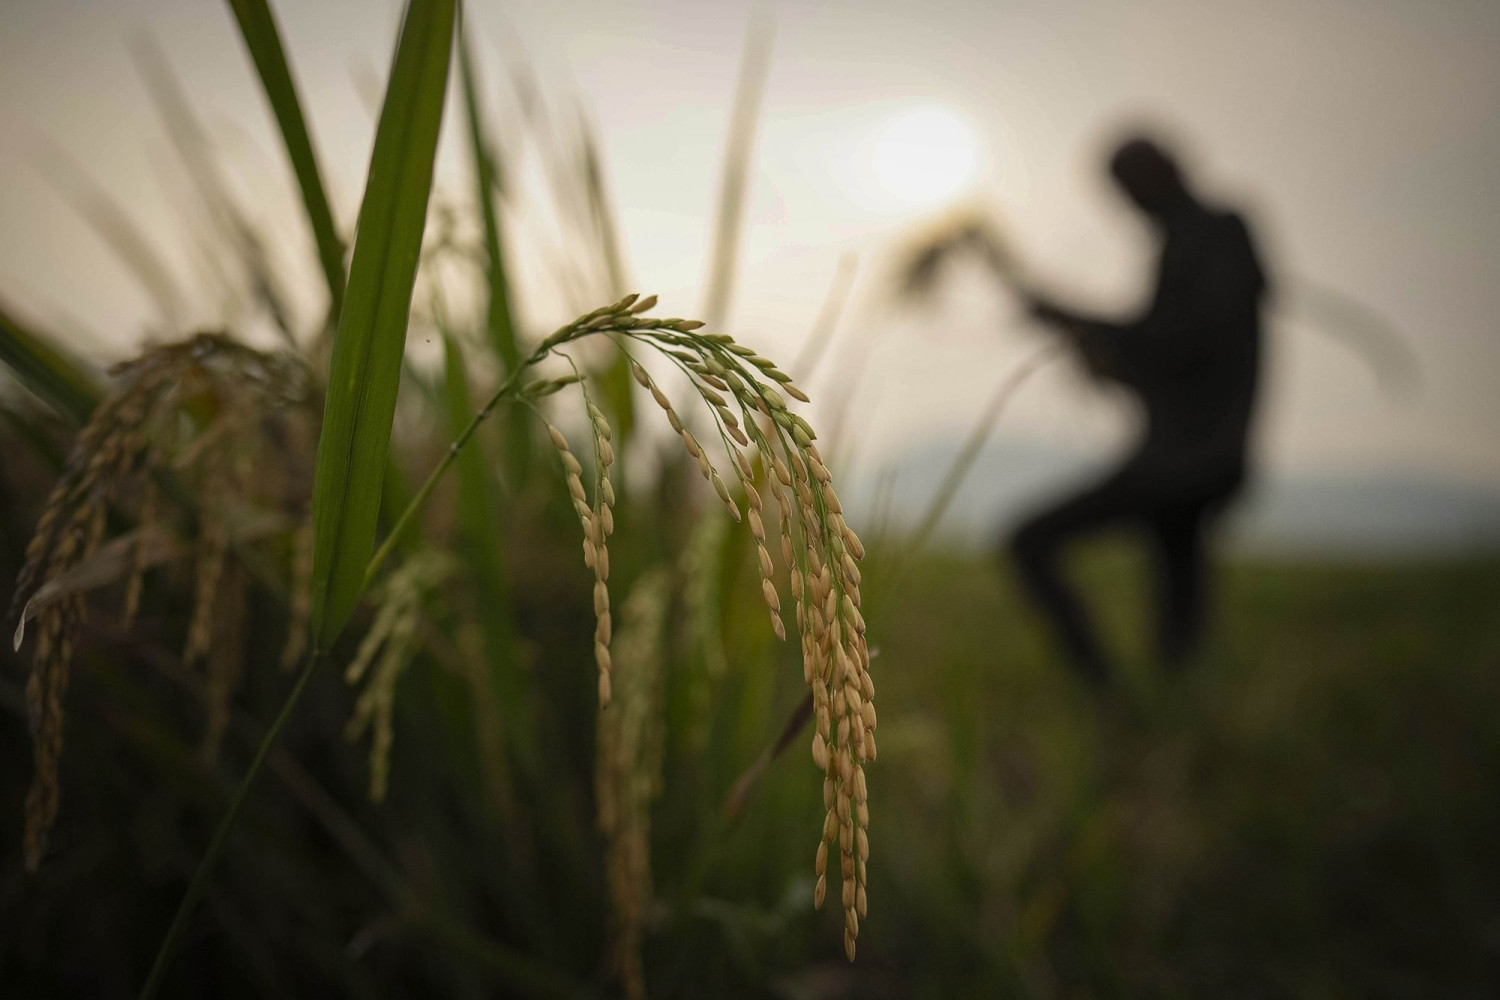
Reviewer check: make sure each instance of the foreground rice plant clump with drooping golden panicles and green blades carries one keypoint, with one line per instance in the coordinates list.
(224, 493)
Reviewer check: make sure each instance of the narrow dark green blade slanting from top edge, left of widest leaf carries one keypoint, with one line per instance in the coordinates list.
(263, 40)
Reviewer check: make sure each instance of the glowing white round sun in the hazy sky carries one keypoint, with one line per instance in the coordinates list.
(926, 155)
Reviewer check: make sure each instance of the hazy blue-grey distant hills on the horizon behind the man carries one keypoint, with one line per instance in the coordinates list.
(1372, 513)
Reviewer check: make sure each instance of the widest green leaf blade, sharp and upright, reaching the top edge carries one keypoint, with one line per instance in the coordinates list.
(365, 373)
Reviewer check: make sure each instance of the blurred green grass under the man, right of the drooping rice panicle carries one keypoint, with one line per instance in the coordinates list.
(1306, 813)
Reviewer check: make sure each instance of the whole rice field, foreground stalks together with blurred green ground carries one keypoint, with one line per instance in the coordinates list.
(548, 666)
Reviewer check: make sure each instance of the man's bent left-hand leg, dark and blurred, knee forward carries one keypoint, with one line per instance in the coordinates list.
(1037, 548)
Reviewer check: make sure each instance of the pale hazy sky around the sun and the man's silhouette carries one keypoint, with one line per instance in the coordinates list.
(1358, 136)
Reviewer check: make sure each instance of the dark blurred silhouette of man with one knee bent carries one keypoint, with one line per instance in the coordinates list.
(1193, 362)
